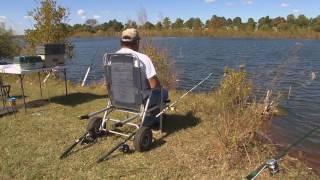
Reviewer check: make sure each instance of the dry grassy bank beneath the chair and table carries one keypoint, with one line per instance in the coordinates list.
(32, 143)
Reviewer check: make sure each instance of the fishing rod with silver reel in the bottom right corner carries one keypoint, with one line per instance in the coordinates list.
(272, 164)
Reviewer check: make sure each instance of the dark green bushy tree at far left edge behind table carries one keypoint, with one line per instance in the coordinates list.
(8, 47)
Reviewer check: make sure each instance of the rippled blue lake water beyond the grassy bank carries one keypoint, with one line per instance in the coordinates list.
(272, 64)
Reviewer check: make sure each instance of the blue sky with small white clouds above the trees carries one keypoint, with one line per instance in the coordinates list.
(14, 12)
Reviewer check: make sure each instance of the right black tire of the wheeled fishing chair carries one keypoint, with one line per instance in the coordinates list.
(143, 139)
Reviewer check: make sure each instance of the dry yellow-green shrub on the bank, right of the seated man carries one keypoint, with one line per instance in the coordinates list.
(237, 115)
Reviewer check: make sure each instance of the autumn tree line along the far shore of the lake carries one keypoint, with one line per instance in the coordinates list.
(278, 24)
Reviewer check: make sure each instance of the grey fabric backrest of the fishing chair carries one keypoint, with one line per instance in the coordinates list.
(124, 80)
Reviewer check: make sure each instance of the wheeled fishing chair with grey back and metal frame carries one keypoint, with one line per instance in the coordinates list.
(127, 95)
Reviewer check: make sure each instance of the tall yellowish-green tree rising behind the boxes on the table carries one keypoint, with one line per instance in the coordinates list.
(49, 24)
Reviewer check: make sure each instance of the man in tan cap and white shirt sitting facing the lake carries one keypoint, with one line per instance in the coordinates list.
(130, 45)
